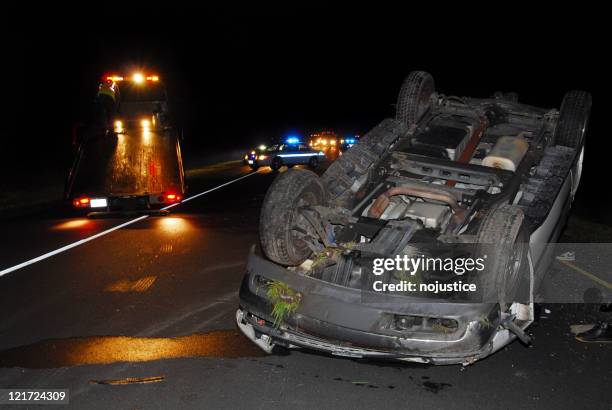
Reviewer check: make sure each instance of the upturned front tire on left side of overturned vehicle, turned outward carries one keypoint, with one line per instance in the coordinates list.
(279, 215)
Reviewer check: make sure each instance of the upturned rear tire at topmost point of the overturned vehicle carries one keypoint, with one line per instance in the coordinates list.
(415, 97)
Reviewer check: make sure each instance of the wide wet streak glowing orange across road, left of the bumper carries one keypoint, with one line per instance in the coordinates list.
(112, 349)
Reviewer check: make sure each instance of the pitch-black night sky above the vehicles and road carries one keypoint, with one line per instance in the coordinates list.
(242, 75)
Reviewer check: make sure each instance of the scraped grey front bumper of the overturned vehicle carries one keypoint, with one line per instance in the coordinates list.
(338, 320)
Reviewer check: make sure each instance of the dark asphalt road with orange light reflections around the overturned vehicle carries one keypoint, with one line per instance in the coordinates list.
(156, 300)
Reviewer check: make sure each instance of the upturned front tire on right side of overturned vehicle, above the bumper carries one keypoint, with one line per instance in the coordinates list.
(503, 242)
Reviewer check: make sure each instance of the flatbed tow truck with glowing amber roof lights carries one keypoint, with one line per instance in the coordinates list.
(133, 163)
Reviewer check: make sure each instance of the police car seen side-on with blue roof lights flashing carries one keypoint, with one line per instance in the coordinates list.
(291, 152)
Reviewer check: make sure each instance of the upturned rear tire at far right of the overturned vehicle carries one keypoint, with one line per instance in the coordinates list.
(573, 119)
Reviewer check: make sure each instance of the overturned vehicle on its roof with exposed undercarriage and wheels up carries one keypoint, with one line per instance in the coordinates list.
(485, 182)
